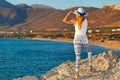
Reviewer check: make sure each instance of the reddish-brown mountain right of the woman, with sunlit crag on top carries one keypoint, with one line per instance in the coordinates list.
(107, 15)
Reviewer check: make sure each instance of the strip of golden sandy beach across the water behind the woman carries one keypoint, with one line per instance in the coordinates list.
(107, 44)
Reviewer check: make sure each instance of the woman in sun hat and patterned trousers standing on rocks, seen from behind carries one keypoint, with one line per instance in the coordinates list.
(80, 37)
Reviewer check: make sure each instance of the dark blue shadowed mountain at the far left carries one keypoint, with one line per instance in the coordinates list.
(10, 14)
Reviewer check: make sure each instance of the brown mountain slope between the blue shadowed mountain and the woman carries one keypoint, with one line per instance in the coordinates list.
(43, 19)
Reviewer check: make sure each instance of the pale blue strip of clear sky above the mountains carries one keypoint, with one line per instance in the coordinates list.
(64, 4)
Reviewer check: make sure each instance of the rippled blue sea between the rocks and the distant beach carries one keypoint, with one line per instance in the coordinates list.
(23, 57)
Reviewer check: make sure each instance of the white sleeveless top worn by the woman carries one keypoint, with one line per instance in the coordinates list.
(82, 31)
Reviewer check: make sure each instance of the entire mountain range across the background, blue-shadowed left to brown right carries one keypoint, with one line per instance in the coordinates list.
(38, 16)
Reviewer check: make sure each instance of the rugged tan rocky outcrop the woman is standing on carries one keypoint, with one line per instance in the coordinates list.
(107, 67)
